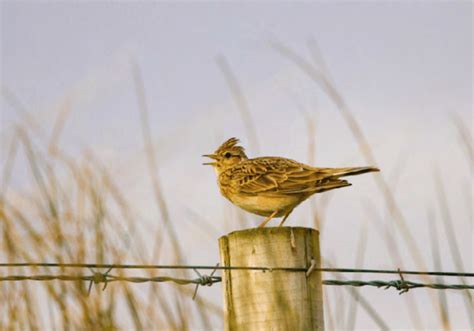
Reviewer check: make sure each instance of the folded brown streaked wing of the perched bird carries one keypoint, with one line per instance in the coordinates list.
(267, 176)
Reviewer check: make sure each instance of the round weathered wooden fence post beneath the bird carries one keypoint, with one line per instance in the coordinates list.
(272, 300)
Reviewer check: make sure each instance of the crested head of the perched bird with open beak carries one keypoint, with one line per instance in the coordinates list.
(227, 156)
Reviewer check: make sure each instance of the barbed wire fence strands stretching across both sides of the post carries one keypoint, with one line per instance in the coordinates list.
(96, 277)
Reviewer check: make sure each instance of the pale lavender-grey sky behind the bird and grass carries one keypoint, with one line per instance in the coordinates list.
(404, 68)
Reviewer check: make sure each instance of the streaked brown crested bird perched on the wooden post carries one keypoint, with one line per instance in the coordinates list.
(272, 186)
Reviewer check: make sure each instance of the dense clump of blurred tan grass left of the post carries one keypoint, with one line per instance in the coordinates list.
(47, 223)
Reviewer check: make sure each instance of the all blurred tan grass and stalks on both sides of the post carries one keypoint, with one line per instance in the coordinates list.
(69, 194)
